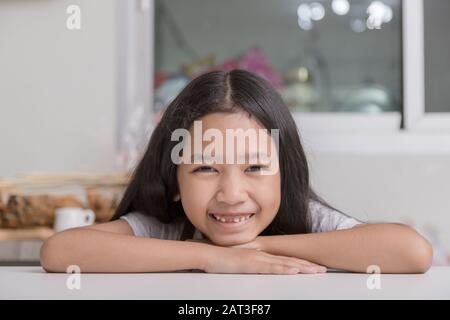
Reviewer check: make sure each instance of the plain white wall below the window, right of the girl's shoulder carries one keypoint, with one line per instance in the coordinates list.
(388, 188)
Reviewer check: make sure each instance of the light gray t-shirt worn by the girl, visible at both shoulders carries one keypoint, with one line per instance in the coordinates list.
(323, 219)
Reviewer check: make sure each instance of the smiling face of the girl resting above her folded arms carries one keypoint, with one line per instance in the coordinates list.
(230, 203)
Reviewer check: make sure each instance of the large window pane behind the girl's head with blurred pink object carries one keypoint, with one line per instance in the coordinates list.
(324, 56)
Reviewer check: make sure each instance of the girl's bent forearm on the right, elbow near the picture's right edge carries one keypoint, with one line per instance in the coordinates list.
(394, 248)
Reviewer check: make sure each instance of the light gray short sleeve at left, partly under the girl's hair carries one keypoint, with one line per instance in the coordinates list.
(144, 225)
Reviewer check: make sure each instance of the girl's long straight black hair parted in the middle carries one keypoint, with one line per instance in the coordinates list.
(153, 184)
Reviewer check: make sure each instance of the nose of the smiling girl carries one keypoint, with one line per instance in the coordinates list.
(231, 189)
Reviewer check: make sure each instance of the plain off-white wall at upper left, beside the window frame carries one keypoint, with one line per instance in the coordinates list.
(57, 87)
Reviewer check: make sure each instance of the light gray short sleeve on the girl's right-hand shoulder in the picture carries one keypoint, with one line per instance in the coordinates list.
(325, 219)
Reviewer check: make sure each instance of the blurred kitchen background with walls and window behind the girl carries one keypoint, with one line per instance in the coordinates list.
(82, 84)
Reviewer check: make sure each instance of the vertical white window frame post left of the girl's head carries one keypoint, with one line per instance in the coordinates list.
(134, 94)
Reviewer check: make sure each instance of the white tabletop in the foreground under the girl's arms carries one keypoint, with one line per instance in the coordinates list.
(35, 283)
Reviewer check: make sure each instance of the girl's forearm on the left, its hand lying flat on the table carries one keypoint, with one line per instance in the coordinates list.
(99, 251)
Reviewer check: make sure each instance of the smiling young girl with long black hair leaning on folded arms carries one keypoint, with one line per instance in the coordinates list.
(238, 217)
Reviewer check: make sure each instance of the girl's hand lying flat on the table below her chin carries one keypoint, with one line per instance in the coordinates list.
(240, 260)
